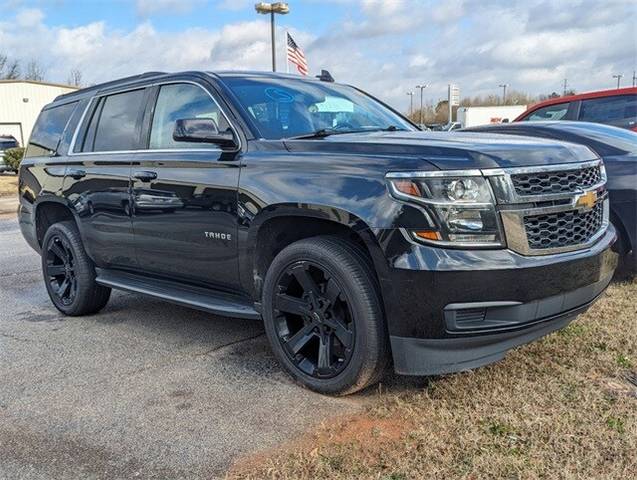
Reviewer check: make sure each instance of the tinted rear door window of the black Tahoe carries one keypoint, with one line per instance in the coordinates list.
(117, 122)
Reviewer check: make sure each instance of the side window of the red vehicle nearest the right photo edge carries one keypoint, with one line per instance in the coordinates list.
(620, 111)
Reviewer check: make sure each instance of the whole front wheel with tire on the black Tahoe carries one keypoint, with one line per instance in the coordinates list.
(334, 342)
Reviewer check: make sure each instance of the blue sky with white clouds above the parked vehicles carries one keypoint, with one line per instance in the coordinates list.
(386, 47)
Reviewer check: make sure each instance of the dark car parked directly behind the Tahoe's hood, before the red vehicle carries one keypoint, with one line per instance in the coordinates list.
(618, 148)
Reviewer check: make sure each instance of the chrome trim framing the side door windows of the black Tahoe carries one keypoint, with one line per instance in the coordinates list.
(71, 153)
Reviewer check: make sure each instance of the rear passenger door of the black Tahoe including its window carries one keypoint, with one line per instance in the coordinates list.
(97, 181)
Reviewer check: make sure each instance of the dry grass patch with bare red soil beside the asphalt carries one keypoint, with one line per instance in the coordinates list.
(563, 407)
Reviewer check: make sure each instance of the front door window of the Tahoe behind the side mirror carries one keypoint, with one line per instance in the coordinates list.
(180, 101)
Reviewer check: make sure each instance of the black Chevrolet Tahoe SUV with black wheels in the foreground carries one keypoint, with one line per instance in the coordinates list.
(319, 209)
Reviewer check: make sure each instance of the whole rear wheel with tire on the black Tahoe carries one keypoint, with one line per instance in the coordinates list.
(69, 274)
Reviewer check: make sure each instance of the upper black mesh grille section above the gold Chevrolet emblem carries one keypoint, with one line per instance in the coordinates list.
(565, 181)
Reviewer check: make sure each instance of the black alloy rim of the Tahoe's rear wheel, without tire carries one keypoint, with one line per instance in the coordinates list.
(60, 270)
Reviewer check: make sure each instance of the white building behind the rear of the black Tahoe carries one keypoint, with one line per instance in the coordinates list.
(21, 102)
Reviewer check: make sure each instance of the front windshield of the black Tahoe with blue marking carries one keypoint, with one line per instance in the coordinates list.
(284, 108)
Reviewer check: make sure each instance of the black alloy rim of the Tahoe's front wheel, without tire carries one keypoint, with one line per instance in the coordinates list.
(314, 321)
